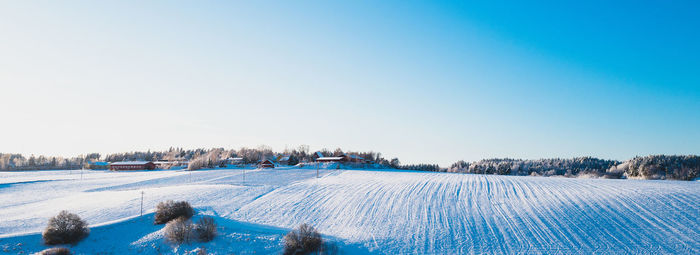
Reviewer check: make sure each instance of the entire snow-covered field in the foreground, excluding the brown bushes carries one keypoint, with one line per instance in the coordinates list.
(385, 212)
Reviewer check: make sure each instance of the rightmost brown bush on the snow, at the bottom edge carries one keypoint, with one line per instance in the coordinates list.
(303, 240)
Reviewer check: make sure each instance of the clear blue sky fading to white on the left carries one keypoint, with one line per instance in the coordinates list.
(424, 81)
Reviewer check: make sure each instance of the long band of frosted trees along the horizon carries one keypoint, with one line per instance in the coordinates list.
(656, 167)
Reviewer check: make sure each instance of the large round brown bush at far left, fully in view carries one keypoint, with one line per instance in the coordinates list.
(65, 228)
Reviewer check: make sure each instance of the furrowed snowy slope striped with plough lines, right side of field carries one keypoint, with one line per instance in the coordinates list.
(454, 213)
